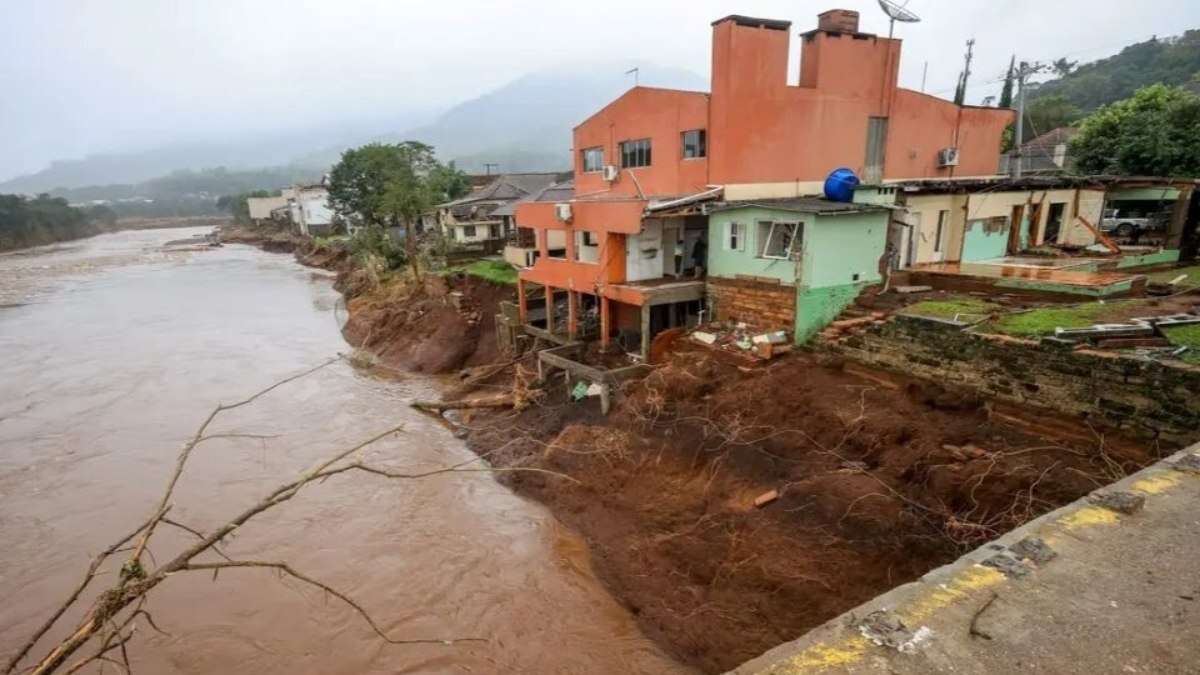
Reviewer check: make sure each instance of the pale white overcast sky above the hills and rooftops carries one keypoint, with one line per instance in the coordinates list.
(81, 76)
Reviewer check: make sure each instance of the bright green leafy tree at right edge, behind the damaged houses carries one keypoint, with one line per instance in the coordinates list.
(1154, 133)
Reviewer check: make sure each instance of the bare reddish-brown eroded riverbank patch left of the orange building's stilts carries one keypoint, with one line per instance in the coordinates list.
(441, 326)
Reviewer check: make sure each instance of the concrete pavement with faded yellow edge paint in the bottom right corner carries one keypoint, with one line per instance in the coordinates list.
(1108, 584)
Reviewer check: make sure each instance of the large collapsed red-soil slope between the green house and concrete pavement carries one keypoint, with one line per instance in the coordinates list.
(877, 487)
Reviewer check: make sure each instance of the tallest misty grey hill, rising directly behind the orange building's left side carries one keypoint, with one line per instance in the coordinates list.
(526, 126)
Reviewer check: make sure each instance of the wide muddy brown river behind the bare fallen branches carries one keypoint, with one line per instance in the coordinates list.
(112, 351)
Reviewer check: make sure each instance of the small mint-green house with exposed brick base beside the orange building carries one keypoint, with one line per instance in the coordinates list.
(791, 264)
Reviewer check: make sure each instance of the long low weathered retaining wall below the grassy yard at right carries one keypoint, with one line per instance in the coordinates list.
(1148, 399)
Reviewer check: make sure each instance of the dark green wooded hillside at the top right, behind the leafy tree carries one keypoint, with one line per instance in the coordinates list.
(1172, 61)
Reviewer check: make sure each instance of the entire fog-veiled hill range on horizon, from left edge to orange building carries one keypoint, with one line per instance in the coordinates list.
(525, 126)
